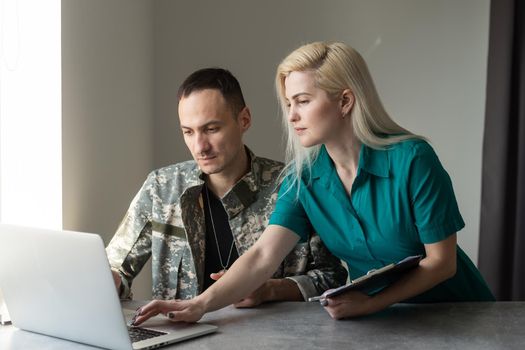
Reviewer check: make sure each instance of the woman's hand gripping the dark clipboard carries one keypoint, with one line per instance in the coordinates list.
(350, 304)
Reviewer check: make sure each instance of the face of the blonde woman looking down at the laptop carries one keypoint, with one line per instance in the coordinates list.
(315, 117)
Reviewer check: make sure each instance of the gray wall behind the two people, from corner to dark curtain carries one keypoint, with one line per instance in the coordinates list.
(428, 59)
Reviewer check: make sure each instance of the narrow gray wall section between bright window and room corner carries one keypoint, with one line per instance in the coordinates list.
(107, 89)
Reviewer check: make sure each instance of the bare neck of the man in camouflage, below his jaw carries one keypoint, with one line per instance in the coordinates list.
(221, 183)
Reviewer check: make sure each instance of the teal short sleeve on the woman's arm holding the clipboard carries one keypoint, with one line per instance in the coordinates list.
(434, 204)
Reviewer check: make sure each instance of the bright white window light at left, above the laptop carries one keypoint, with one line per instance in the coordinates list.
(30, 113)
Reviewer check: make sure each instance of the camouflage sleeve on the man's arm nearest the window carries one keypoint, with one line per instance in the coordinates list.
(130, 247)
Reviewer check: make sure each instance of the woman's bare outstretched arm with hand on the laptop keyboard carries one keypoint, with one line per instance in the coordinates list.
(248, 272)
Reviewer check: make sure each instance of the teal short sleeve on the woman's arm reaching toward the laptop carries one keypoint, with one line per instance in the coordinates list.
(289, 211)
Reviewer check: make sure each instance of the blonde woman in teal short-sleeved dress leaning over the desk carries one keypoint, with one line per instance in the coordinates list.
(375, 193)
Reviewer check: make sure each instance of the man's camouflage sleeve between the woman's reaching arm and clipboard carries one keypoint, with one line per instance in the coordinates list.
(323, 270)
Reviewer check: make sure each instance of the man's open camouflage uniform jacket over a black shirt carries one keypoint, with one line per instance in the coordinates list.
(166, 221)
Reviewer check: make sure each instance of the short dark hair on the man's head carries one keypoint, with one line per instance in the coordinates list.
(215, 78)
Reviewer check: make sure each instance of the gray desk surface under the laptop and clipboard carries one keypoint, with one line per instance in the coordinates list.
(307, 326)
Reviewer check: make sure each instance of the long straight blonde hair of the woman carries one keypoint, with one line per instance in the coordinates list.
(337, 67)
